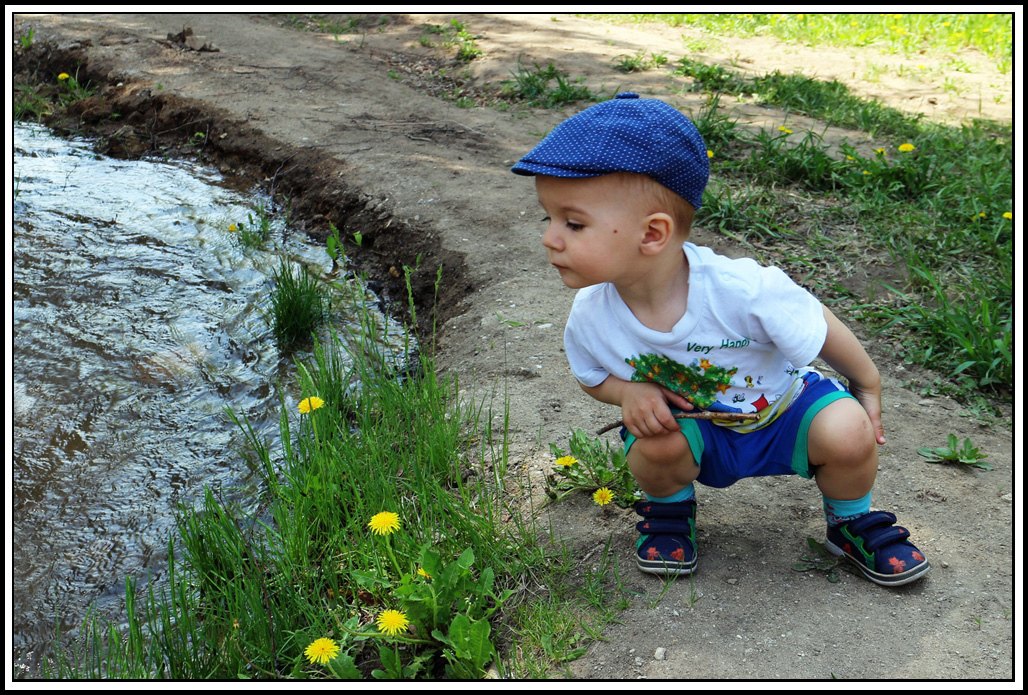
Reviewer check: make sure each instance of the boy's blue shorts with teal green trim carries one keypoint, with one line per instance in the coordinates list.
(726, 456)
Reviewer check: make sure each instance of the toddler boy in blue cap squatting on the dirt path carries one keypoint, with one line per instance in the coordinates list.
(660, 326)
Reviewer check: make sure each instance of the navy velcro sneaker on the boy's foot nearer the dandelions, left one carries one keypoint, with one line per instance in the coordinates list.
(668, 537)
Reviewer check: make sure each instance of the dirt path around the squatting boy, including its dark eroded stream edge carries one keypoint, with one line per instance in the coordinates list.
(347, 127)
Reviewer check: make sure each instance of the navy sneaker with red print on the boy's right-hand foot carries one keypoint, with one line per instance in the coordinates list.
(879, 550)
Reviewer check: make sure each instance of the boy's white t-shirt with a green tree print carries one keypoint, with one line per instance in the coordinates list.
(747, 332)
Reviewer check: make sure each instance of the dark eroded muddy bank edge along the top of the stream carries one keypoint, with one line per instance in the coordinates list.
(132, 120)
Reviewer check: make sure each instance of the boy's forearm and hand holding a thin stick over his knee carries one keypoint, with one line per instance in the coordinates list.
(644, 407)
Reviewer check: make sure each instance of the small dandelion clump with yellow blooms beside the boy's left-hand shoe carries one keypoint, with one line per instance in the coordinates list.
(593, 467)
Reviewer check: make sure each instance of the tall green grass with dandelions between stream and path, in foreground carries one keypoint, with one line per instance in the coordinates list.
(250, 590)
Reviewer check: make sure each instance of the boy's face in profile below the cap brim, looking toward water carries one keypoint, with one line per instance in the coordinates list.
(594, 233)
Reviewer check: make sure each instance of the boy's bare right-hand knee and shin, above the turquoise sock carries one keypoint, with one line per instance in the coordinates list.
(841, 447)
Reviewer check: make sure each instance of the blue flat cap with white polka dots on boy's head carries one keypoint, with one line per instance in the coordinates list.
(626, 134)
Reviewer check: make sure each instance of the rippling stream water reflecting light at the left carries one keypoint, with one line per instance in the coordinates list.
(137, 319)
